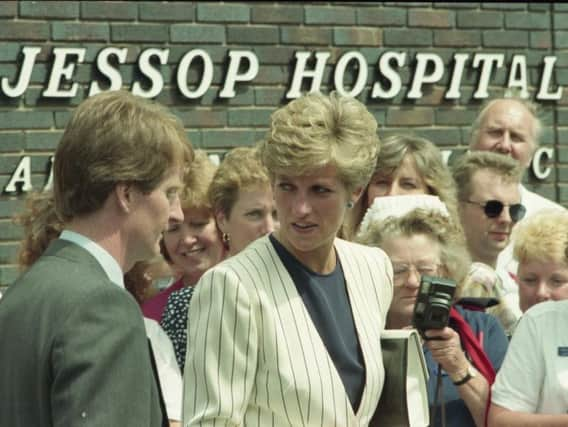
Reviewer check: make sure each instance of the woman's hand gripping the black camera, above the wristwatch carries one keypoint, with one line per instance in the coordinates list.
(447, 351)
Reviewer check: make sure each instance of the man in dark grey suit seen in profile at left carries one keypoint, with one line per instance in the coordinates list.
(73, 347)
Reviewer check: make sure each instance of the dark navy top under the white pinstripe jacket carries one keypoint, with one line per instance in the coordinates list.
(327, 302)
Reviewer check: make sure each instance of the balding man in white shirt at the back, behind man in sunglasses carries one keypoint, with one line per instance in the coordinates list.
(511, 127)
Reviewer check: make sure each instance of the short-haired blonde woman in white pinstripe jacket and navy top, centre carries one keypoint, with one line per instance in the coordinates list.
(287, 332)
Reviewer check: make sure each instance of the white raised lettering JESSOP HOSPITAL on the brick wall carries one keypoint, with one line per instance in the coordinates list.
(243, 67)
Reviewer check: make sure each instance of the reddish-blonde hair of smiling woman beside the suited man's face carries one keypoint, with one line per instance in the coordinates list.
(197, 181)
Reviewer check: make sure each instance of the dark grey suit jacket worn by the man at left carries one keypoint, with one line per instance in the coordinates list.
(73, 349)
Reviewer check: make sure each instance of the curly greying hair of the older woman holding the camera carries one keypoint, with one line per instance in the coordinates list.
(455, 260)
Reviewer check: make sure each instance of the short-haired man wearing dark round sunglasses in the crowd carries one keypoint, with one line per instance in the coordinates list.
(489, 202)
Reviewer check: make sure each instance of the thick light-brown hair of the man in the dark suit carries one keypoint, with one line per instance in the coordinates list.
(115, 137)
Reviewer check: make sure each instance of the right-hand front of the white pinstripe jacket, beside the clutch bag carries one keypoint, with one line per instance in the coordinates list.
(359, 281)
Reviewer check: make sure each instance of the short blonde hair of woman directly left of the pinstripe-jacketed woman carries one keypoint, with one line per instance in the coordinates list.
(240, 169)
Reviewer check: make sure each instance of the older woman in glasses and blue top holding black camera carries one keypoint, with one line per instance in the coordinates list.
(468, 351)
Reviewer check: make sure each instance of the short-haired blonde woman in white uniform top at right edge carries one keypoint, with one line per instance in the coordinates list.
(530, 389)
